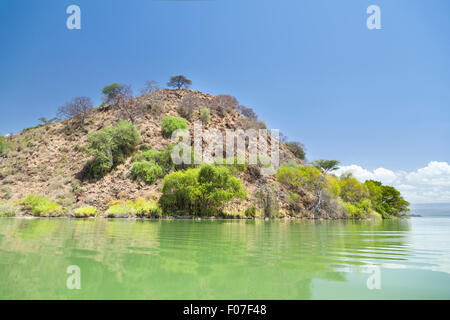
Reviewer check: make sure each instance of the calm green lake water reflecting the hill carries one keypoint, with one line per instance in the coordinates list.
(225, 259)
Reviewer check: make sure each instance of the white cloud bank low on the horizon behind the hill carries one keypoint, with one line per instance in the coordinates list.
(428, 184)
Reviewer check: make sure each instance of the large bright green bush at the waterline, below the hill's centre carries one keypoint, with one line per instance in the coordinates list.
(201, 191)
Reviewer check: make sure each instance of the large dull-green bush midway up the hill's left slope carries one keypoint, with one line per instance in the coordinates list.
(110, 147)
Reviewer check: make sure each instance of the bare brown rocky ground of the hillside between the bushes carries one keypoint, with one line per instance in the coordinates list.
(48, 160)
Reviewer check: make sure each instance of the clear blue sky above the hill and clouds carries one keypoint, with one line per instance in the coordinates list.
(375, 98)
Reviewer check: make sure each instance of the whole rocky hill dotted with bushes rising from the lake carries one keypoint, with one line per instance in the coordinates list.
(115, 161)
